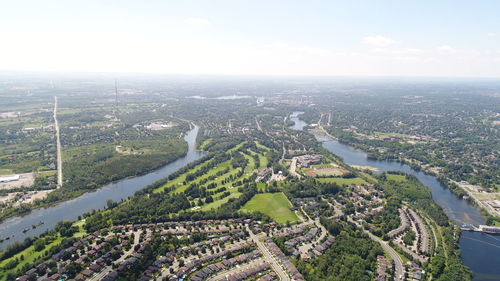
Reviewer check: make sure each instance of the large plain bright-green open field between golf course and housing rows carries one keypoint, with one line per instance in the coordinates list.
(275, 205)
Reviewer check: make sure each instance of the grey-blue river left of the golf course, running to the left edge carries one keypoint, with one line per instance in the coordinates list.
(70, 210)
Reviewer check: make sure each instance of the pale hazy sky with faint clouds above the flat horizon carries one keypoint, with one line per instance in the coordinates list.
(429, 38)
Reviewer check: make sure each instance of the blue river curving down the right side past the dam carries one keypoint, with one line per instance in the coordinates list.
(480, 251)
